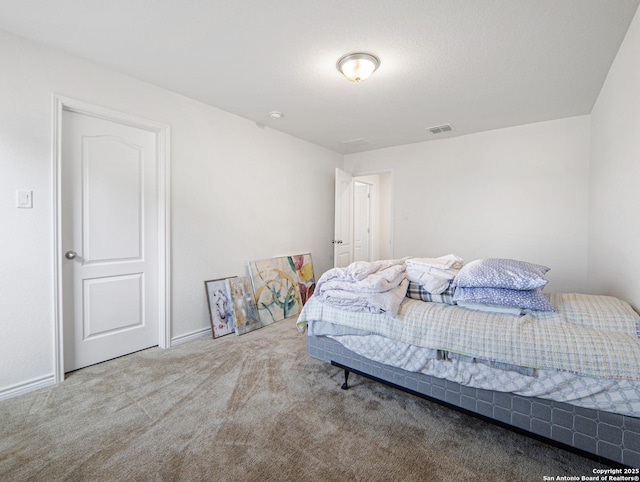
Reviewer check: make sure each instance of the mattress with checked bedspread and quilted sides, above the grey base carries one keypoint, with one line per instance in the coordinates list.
(586, 354)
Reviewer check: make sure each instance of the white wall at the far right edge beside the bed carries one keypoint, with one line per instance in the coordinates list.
(614, 208)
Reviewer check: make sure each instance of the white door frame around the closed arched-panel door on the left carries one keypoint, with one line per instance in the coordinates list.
(162, 131)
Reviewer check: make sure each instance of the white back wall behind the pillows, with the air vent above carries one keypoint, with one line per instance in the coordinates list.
(520, 192)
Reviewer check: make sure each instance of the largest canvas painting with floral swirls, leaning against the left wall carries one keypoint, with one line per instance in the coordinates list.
(276, 289)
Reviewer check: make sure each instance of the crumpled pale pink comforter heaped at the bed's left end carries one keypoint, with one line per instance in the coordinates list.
(376, 287)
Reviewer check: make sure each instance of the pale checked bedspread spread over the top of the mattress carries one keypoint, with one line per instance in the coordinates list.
(578, 338)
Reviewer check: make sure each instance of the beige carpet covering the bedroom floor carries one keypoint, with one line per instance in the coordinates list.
(253, 408)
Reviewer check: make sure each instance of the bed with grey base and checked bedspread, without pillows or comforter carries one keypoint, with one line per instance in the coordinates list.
(570, 377)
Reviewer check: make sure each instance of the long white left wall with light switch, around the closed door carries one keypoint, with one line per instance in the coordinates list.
(239, 192)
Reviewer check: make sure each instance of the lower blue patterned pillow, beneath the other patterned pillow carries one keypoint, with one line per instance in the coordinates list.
(527, 299)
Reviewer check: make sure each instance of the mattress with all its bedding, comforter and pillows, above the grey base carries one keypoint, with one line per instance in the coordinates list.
(505, 334)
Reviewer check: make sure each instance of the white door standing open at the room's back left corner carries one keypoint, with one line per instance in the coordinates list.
(343, 231)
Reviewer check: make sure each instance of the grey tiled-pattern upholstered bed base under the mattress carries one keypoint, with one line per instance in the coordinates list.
(610, 438)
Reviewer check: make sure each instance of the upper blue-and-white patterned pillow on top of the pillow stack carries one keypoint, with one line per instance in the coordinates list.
(502, 273)
